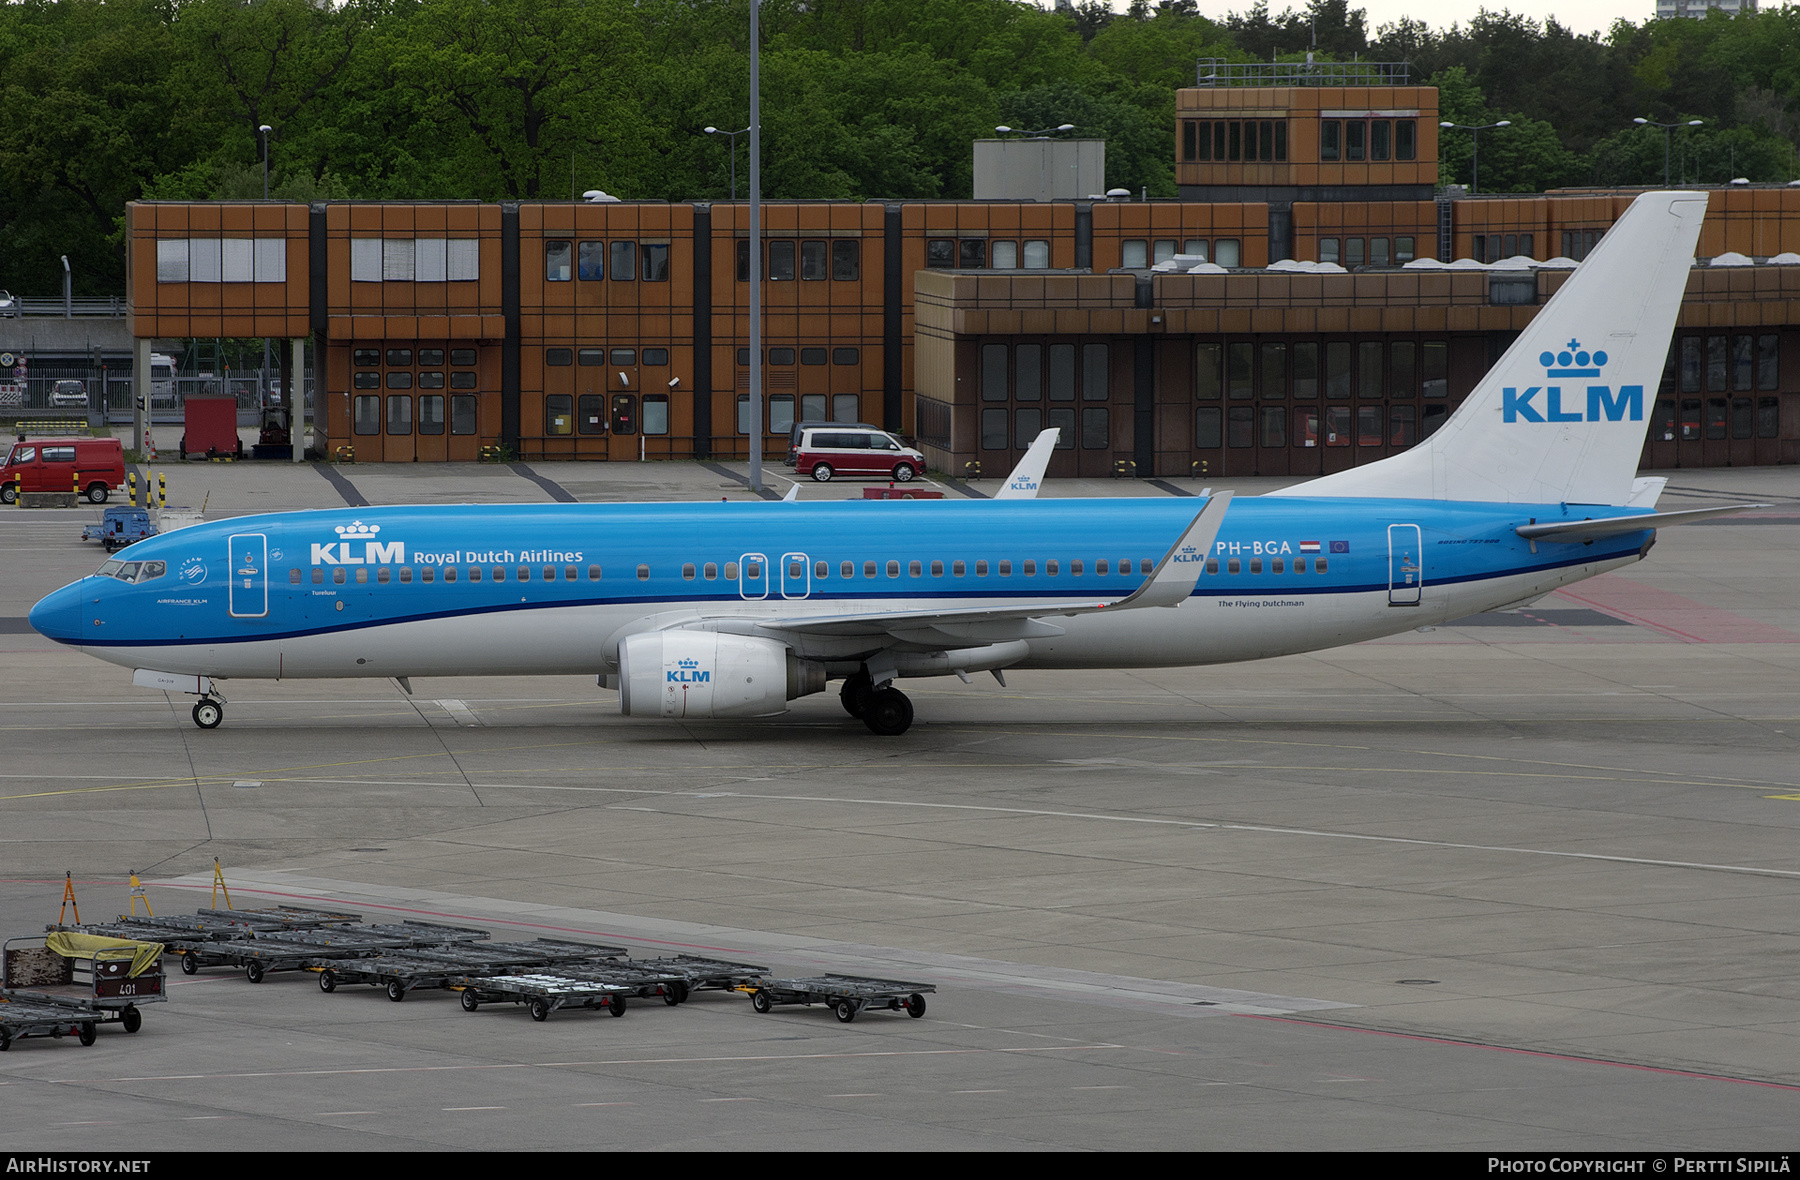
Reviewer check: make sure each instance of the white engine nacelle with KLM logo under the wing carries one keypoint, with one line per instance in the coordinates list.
(710, 675)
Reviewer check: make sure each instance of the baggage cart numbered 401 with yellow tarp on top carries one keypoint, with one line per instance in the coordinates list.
(96, 987)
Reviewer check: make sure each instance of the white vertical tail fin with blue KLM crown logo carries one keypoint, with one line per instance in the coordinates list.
(1561, 416)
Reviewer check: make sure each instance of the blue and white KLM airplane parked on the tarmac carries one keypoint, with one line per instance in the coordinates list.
(732, 611)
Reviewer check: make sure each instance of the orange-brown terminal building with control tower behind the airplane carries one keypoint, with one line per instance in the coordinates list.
(1309, 303)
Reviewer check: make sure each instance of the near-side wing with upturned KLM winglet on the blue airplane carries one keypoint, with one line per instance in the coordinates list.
(1169, 586)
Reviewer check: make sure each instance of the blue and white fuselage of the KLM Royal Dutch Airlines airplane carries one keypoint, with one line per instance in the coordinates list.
(552, 589)
